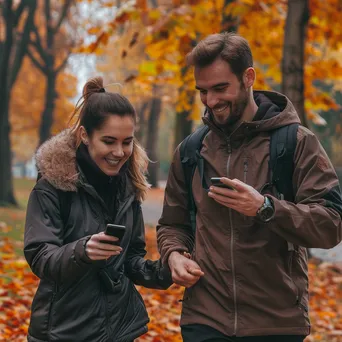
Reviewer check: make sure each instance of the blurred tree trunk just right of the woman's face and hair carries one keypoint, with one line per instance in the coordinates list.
(152, 140)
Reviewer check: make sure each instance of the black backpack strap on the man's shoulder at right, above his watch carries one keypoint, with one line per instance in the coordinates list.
(282, 148)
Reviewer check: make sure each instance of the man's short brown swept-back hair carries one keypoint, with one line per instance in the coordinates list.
(229, 46)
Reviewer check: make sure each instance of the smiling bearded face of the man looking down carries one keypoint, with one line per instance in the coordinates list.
(221, 91)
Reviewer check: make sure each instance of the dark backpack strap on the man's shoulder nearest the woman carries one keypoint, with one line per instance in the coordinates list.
(190, 158)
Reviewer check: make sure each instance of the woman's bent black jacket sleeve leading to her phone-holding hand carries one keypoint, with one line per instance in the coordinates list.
(44, 250)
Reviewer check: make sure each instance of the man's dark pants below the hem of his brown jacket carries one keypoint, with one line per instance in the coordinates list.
(204, 333)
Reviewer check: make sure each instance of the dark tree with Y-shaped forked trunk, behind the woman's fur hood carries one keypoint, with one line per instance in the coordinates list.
(49, 51)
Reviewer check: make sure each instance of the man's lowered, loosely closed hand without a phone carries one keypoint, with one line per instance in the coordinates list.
(185, 272)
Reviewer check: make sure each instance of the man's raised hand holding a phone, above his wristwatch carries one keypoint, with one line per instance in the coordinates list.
(244, 199)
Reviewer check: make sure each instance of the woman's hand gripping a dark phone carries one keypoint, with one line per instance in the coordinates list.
(99, 247)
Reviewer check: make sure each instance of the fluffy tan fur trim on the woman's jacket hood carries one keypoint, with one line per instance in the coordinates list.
(56, 161)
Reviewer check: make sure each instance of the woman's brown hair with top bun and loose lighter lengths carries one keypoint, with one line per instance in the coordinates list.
(93, 109)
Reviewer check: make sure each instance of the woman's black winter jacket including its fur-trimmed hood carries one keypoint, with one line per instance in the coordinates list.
(79, 299)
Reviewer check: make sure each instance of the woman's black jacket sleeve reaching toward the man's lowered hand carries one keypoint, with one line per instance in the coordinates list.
(142, 271)
